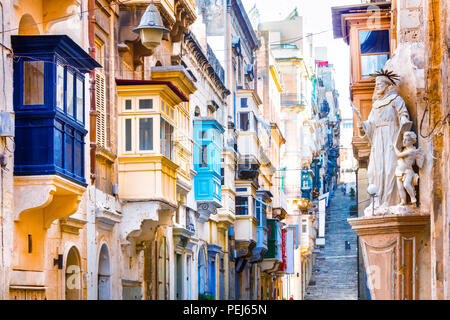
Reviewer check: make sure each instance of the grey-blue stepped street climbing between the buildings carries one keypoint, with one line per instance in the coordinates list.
(335, 274)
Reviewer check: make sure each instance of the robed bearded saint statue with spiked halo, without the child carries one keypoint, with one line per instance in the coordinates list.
(388, 119)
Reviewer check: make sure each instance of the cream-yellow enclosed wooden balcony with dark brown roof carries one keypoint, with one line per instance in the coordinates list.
(147, 170)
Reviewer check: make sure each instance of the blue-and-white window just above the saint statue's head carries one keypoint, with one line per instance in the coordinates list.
(374, 46)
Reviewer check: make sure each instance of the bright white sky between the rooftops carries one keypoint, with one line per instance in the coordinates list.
(317, 18)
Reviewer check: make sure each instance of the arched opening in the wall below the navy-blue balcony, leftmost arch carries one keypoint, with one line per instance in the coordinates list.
(73, 275)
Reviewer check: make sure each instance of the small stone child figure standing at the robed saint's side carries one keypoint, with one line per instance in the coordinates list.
(406, 177)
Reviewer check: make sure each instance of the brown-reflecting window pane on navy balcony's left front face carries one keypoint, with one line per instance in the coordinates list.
(33, 82)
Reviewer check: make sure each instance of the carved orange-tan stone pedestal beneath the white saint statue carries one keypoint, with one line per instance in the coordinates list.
(390, 248)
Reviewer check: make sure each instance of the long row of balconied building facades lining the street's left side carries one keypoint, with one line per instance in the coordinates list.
(176, 166)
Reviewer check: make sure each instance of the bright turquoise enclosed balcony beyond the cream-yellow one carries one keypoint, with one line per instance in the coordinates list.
(207, 162)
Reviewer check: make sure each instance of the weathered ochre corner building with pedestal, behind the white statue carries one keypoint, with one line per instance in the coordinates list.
(413, 47)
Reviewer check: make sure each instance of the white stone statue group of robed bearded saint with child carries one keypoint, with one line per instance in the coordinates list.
(390, 169)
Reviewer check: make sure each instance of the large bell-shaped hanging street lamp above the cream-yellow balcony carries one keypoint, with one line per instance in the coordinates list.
(151, 28)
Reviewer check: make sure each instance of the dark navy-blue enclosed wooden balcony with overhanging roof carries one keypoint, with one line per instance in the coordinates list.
(49, 105)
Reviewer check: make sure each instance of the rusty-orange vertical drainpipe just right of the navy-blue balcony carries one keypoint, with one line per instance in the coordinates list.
(93, 110)
